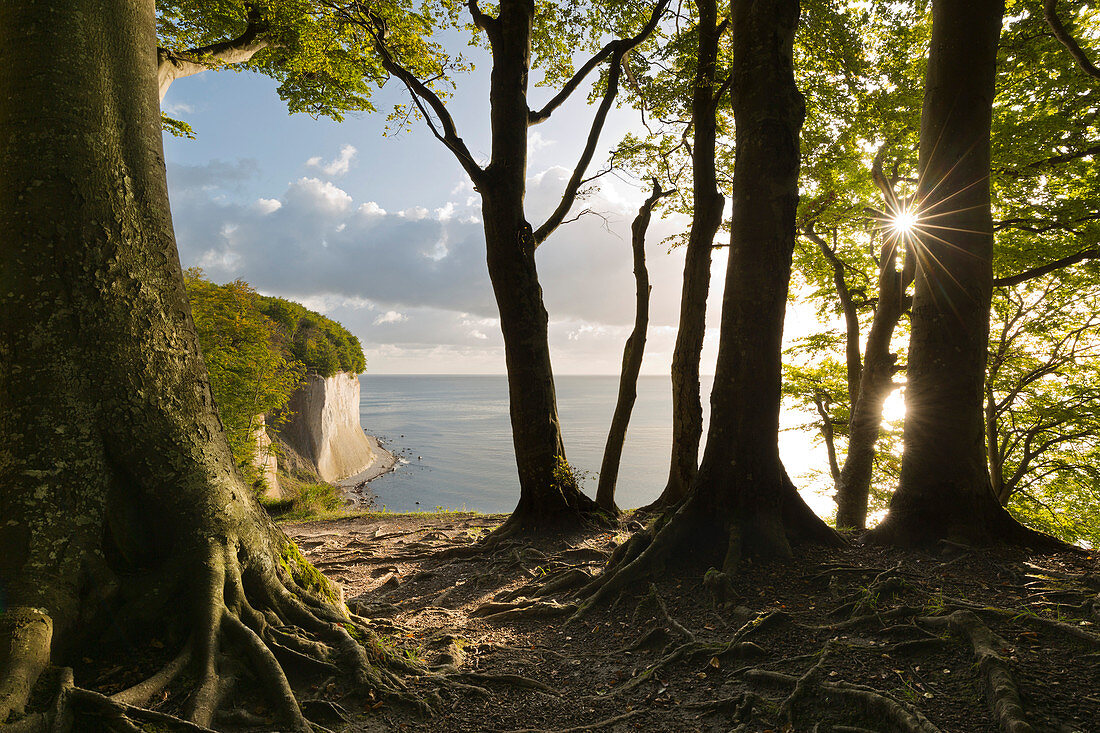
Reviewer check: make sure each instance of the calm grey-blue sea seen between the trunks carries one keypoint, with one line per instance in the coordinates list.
(453, 437)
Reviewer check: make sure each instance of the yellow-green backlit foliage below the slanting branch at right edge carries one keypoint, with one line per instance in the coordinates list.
(1043, 398)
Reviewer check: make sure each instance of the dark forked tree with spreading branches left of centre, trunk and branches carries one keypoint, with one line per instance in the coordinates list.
(548, 487)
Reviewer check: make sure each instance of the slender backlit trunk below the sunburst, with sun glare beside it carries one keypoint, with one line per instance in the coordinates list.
(876, 384)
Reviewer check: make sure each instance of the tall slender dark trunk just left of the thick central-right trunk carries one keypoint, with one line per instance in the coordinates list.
(707, 218)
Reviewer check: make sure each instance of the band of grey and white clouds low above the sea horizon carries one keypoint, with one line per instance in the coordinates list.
(413, 285)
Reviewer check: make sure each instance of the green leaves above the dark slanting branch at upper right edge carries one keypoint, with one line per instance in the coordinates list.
(1046, 123)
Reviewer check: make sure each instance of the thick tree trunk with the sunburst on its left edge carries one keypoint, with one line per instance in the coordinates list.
(944, 493)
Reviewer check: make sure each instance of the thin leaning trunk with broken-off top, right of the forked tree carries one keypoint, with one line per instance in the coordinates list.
(632, 359)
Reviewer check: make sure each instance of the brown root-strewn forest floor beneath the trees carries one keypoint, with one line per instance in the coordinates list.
(859, 639)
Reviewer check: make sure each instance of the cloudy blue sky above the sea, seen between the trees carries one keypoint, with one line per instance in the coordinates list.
(384, 235)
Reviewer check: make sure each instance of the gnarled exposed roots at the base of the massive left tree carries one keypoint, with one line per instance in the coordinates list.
(270, 617)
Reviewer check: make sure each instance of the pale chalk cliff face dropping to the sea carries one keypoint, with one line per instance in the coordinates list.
(325, 429)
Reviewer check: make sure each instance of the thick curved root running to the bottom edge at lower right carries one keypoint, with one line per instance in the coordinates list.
(1002, 690)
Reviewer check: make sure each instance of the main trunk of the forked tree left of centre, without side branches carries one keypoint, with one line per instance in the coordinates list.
(548, 490)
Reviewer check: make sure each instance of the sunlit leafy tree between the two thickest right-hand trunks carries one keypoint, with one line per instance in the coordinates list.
(851, 260)
